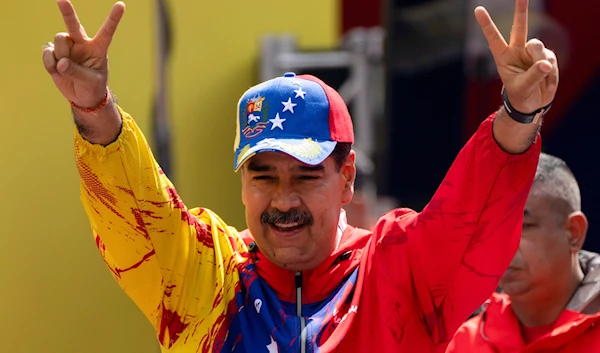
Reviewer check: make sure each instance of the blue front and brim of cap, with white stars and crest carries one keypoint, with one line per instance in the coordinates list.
(285, 108)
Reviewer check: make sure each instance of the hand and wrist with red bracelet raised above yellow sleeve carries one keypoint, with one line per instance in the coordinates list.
(78, 66)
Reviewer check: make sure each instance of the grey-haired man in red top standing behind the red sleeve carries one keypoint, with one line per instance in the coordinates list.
(550, 298)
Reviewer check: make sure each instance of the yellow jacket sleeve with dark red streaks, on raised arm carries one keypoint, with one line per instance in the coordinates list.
(177, 265)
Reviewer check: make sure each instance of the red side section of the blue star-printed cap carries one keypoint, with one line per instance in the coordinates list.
(340, 123)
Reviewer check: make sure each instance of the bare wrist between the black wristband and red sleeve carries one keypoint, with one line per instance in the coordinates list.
(514, 137)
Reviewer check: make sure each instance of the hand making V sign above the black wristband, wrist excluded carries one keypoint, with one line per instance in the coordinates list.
(528, 70)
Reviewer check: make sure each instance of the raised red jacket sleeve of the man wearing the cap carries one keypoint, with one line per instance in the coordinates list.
(458, 247)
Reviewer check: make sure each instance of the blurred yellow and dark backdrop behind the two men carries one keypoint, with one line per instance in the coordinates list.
(416, 75)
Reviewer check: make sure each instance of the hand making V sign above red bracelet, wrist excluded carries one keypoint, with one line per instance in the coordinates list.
(77, 63)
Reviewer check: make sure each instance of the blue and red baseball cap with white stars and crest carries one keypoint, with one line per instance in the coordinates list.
(297, 115)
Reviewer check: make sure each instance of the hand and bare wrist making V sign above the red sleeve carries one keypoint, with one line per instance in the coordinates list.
(528, 71)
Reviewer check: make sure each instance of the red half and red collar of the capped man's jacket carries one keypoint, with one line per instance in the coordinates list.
(421, 274)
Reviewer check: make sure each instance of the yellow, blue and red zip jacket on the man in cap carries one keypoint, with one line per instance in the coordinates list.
(405, 287)
